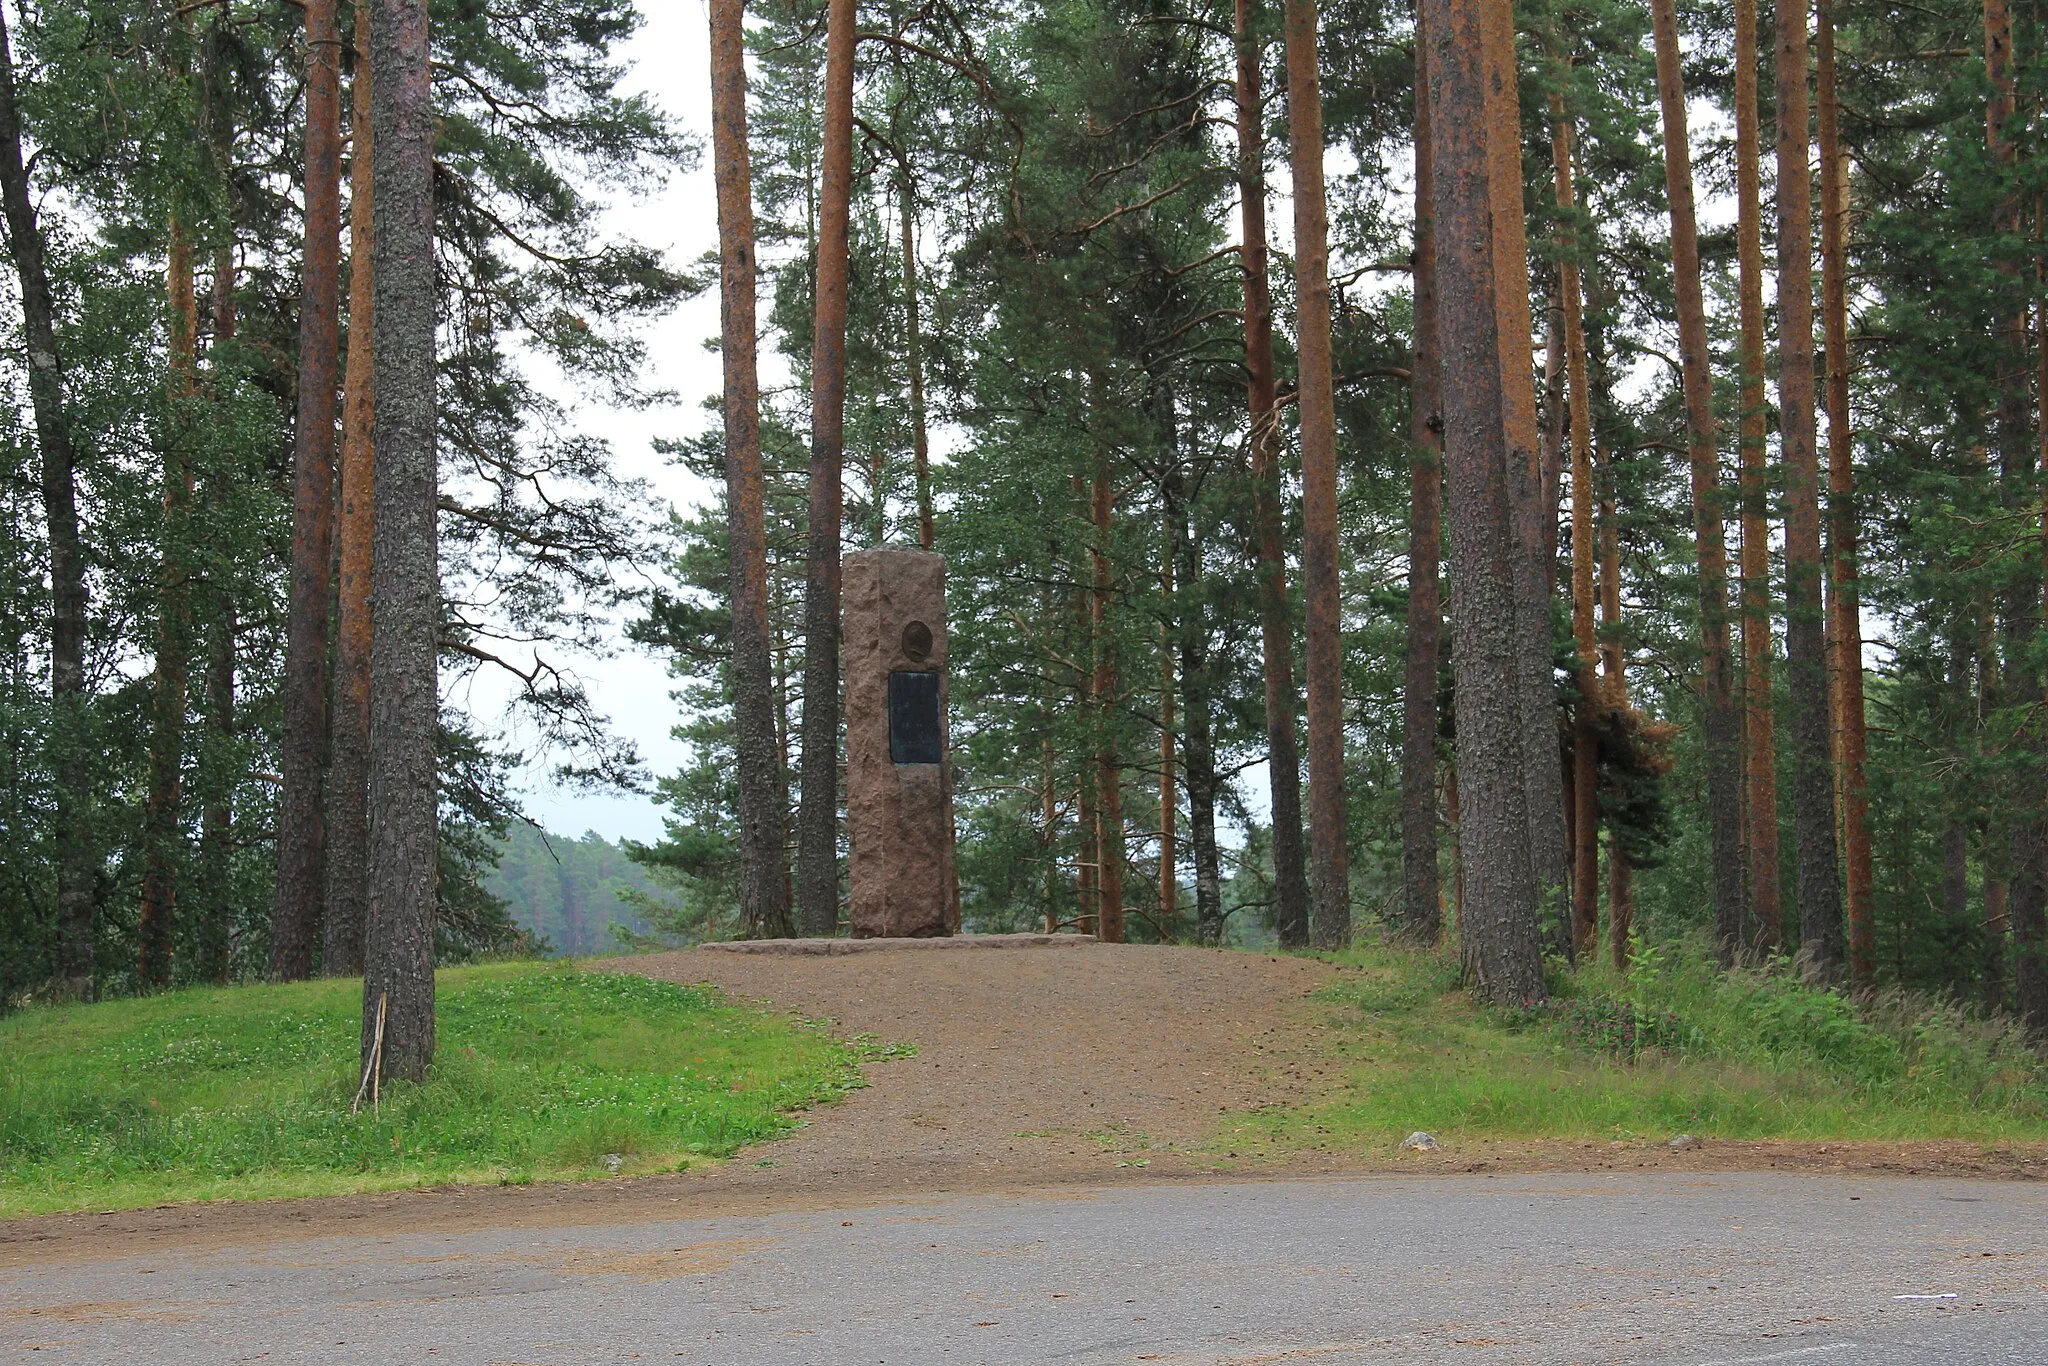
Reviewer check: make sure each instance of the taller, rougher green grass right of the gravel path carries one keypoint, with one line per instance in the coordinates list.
(1676, 1048)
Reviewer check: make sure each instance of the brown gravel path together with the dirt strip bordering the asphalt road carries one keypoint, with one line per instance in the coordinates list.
(964, 1119)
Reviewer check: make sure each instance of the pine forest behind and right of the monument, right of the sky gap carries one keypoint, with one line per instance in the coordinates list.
(1537, 476)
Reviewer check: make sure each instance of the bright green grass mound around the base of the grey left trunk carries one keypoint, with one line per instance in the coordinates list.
(243, 1093)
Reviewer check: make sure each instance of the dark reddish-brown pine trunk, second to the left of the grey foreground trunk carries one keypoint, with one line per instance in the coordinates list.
(302, 818)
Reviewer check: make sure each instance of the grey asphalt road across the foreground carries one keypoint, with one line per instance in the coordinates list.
(1701, 1271)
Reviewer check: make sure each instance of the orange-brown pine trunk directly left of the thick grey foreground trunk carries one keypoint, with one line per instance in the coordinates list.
(349, 824)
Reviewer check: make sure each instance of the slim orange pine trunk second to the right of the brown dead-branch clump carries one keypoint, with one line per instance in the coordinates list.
(1760, 744)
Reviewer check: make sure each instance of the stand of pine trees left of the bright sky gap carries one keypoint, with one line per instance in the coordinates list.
(275, 476)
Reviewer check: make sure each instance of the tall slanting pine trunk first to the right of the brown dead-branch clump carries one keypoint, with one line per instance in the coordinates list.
(1717, 677)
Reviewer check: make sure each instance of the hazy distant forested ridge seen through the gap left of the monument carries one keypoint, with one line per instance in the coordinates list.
(566, 890)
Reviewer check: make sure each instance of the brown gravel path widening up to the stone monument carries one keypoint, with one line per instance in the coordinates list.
(1033, 1066)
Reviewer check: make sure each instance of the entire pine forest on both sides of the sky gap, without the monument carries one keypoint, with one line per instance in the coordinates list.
(1527, 478)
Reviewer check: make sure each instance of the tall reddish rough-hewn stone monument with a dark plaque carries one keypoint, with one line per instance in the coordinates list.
(898, 773)
